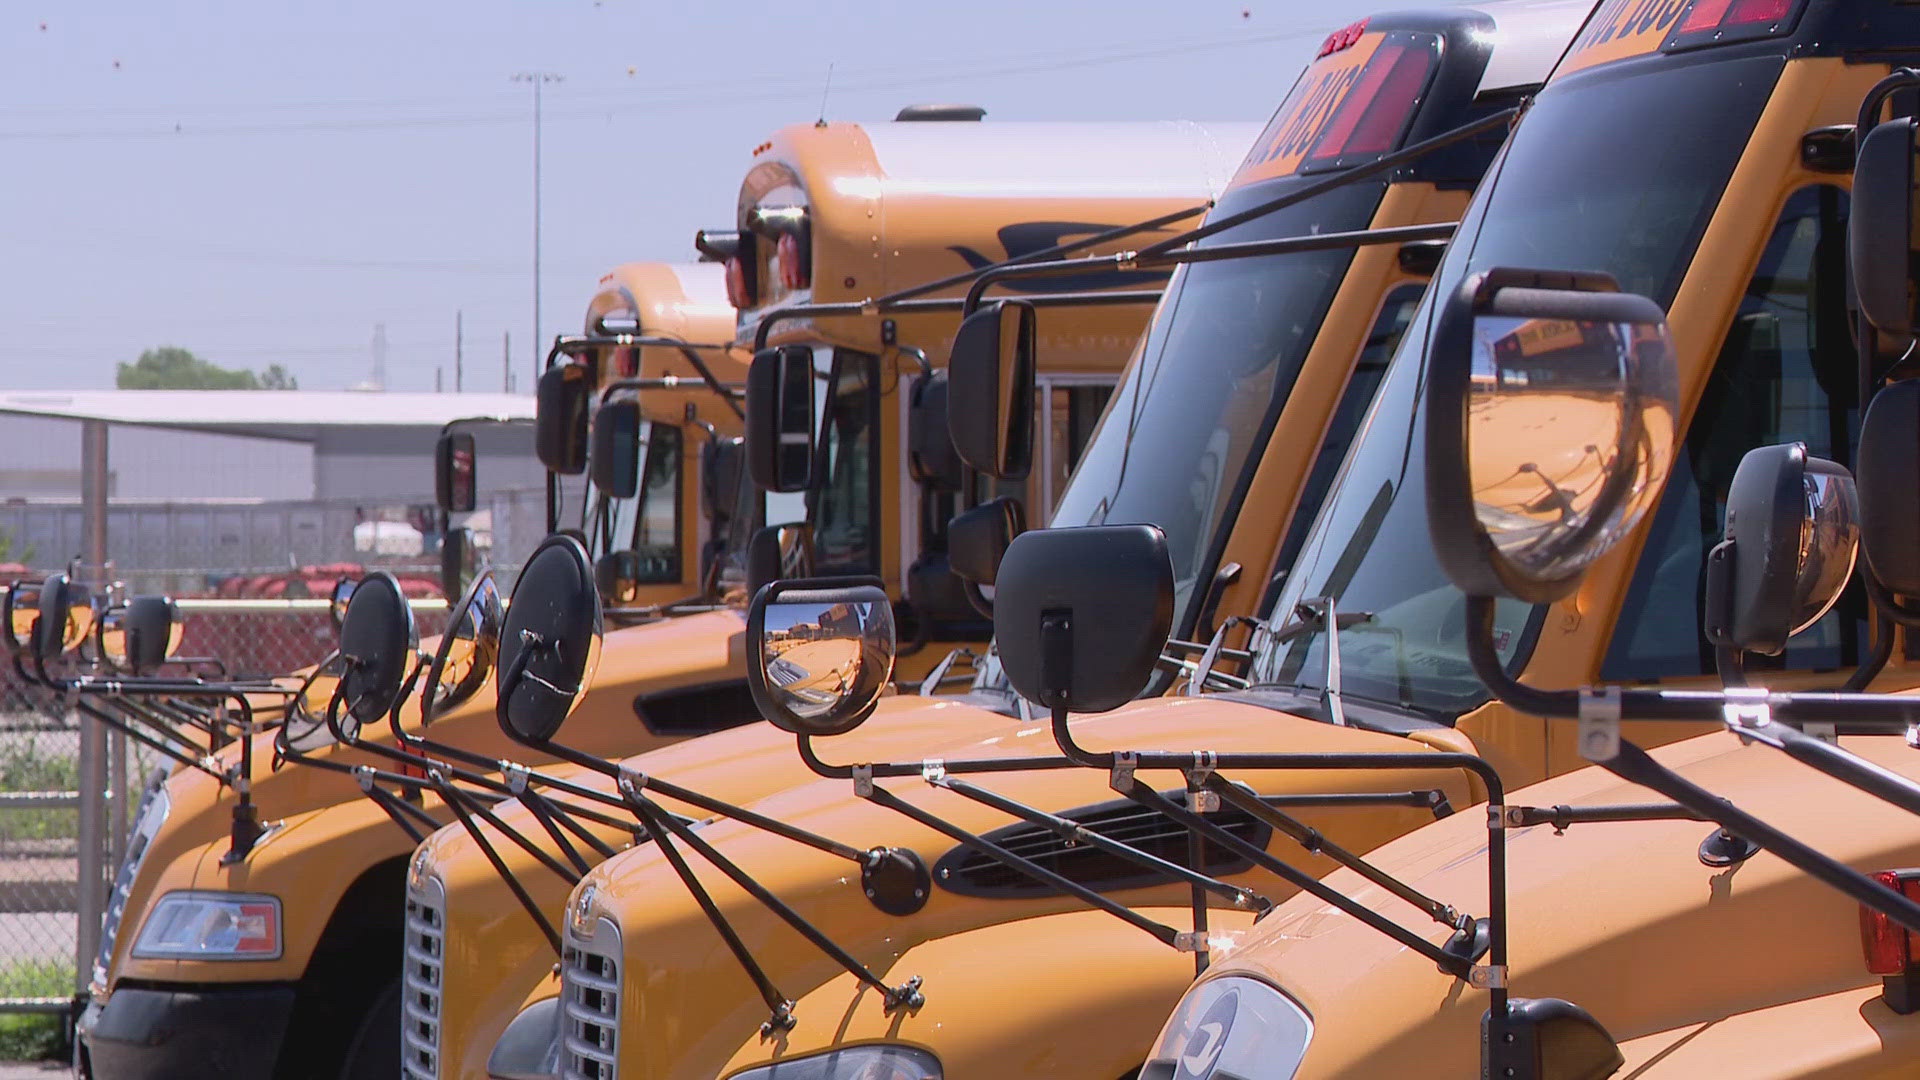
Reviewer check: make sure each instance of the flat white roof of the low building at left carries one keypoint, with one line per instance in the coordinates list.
(264, 414)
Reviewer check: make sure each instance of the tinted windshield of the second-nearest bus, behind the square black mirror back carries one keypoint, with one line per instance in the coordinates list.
(1216, 364)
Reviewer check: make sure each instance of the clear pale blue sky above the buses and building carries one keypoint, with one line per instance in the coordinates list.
(264, 182)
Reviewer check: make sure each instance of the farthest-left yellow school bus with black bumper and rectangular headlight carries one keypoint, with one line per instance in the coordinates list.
(245, 1008)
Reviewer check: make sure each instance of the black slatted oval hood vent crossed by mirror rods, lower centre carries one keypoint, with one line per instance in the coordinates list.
(971, 873)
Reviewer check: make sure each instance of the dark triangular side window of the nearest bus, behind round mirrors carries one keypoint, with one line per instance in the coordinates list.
(1787, 374)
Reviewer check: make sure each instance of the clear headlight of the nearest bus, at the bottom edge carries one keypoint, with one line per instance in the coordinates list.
(1232, 1027)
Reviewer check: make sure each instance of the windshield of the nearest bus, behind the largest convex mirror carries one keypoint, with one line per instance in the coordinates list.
(1614, 170)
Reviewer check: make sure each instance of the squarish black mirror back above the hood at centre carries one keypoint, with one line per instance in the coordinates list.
(1080, 616)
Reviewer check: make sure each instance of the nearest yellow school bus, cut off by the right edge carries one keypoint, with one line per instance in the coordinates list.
(1717, 180)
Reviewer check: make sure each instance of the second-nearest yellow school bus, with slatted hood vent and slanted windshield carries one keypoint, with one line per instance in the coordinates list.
(1199, 430)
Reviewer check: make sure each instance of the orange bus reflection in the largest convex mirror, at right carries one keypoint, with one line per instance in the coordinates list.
(1570, 430)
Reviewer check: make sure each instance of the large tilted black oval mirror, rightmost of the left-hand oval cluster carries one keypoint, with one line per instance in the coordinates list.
(550, 641)
